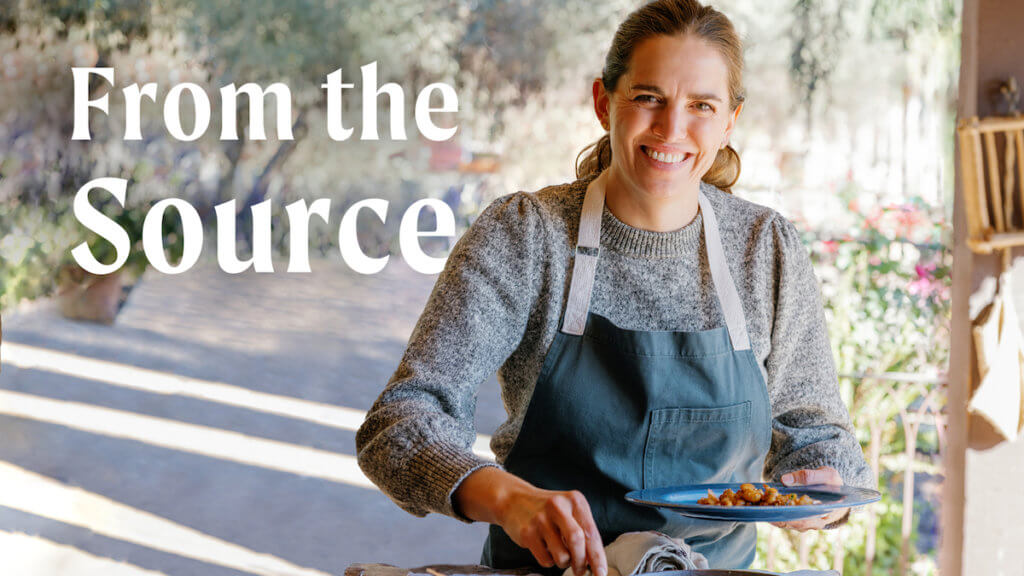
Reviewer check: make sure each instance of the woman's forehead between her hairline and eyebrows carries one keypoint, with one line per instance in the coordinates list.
(678, 63)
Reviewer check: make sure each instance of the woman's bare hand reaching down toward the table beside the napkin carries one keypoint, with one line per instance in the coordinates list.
(557, 527)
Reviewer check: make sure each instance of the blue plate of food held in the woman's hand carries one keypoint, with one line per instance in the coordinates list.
(684, 500)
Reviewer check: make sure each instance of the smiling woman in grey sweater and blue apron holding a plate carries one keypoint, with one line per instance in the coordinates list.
(648, 328)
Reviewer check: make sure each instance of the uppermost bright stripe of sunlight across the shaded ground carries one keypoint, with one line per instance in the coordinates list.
(155, 382)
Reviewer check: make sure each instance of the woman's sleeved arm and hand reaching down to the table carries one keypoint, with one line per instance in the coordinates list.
(415, 443)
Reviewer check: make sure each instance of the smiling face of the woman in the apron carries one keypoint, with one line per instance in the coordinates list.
(669, 116)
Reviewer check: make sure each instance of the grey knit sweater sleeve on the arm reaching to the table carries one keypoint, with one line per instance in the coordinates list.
(416, 441)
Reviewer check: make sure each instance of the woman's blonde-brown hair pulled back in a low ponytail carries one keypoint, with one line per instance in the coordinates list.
(672, 18)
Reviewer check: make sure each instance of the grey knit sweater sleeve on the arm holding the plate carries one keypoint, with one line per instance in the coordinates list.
(812, 427)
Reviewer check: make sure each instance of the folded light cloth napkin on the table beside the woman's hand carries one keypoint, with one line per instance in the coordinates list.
(639, 553)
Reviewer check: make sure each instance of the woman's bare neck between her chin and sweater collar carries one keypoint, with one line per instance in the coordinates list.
(647, 212)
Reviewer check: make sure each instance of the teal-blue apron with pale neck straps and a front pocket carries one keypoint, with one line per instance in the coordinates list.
(617, 410)
